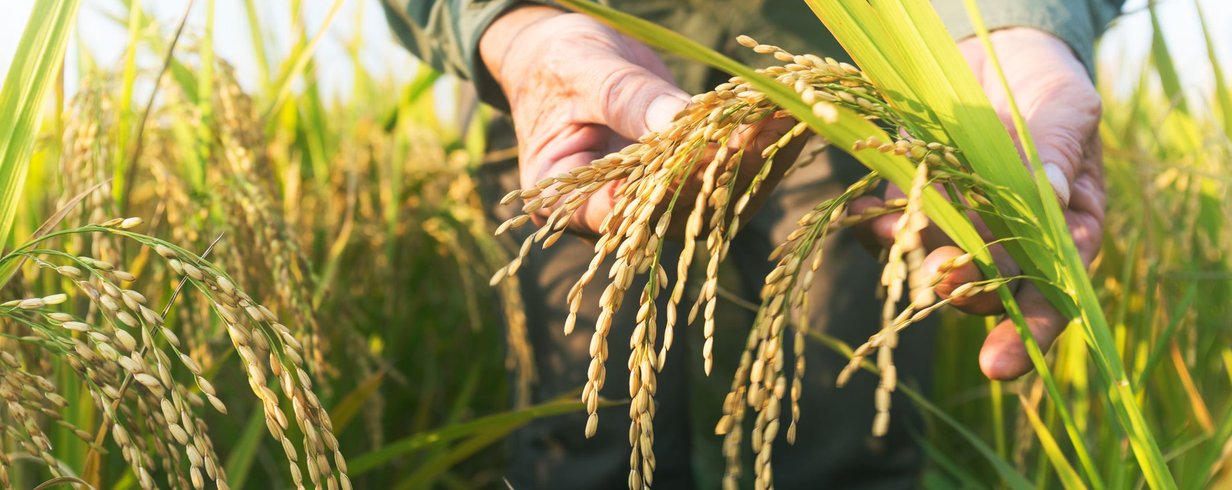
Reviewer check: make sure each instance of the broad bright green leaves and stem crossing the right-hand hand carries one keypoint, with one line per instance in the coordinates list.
(889, 38)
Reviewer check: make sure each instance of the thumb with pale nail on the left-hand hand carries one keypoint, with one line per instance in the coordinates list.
(633, 100)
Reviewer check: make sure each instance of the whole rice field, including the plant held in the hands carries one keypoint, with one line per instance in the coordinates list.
(215, 284)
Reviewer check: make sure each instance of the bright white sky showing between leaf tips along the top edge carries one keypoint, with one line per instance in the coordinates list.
(1128, 42)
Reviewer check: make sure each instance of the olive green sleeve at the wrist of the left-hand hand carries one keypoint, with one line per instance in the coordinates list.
(445, 34)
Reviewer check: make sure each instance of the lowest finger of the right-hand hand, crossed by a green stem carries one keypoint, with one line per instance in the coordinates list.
(1005, 355)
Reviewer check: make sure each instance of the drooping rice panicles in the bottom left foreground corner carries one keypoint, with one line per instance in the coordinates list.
(129, 359)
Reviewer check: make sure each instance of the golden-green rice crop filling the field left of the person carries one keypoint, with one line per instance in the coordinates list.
(311, 220)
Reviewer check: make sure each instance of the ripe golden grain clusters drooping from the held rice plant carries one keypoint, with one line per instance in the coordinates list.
(708, 151)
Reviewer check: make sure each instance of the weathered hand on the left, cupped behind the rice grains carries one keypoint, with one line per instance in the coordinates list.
(580, 90)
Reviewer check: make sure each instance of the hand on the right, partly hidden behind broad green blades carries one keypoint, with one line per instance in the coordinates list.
(1063, 111)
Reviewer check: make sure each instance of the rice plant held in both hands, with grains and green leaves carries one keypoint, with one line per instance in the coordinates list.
(916, 134)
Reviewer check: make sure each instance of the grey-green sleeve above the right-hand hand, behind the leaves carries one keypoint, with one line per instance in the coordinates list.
(1079, 23)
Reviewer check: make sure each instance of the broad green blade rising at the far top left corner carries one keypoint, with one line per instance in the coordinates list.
(35, 66)
